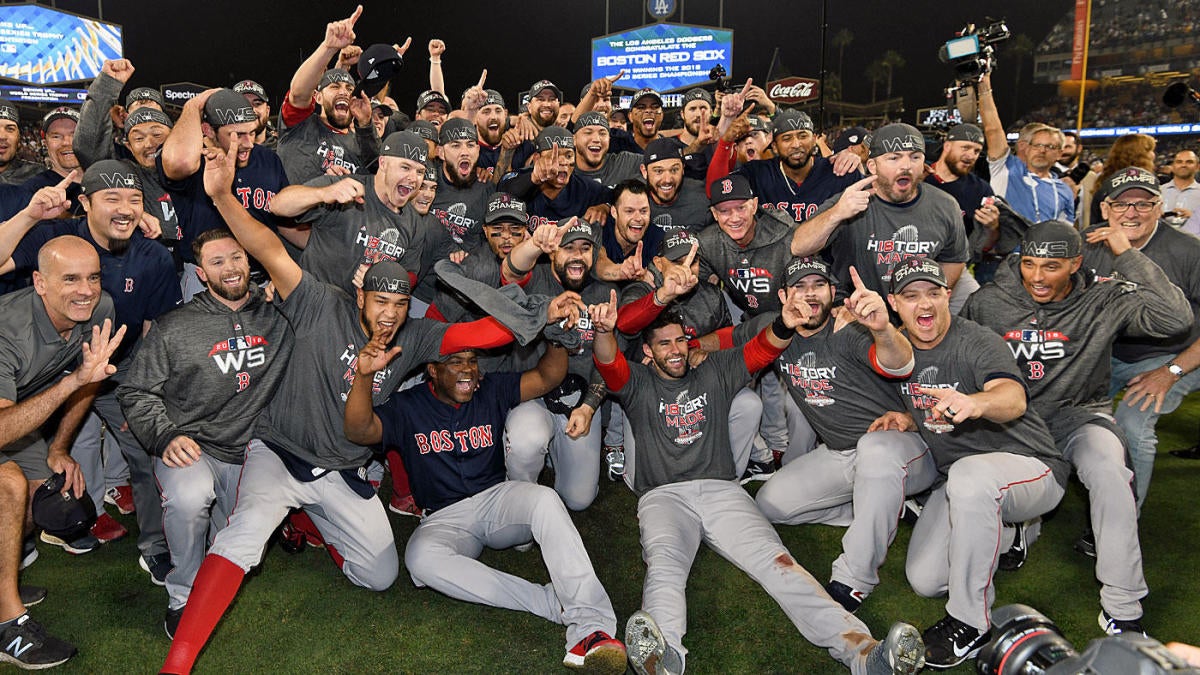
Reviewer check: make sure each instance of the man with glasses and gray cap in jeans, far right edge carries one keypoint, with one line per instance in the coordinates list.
(1155, 373)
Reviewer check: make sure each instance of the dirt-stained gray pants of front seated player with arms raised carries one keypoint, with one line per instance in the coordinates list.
(675, 519)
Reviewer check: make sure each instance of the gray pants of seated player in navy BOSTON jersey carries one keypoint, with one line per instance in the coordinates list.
(443, 549)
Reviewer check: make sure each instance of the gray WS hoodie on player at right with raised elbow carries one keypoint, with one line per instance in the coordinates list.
(1064, 348)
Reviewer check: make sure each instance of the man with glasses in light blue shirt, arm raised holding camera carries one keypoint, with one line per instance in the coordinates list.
(1027, 180)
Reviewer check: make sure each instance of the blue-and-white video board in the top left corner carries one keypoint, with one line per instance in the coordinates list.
(45, 46)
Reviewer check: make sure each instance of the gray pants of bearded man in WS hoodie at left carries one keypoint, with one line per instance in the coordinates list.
(197, 501)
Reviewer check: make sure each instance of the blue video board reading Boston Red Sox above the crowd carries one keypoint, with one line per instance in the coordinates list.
(663, 57)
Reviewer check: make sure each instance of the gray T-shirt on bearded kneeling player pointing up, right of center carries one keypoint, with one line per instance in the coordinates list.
(831, 378)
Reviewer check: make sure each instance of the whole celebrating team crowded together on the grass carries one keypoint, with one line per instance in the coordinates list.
(271, 303)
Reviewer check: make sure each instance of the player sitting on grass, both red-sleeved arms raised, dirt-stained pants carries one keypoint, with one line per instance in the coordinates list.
(687, 494)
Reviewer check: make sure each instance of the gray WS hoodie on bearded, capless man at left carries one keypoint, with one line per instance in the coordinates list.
(207, 372)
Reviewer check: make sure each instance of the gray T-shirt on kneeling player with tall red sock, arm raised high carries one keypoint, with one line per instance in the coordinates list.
(305, 417)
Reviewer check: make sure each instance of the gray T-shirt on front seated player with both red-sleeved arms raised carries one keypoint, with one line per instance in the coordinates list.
(682, 426)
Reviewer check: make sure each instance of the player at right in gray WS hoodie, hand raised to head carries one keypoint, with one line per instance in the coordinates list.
(1060, 325)
